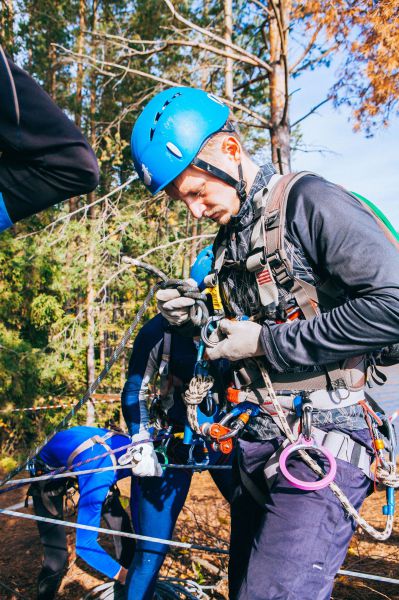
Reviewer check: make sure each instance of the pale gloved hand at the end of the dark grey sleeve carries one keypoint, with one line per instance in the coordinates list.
(236, 340)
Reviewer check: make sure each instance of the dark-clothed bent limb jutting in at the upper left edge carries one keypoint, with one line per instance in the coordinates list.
(44, 158)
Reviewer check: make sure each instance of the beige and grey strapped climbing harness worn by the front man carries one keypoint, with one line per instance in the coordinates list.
(339, 387)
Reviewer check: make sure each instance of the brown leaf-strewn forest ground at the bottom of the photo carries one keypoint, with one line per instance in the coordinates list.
(204, 520)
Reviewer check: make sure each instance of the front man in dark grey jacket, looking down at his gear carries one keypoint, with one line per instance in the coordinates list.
(318, 282)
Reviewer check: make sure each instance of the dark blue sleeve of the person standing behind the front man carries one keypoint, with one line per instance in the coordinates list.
(143, 365)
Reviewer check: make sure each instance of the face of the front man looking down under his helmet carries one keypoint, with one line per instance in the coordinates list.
(205, 195)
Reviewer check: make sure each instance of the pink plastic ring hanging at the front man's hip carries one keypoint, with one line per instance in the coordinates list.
(304, 444)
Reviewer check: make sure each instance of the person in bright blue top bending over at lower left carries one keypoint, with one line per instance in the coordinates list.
(99, 497)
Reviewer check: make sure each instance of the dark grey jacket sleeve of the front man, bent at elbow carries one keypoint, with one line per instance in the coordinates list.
(343, 241)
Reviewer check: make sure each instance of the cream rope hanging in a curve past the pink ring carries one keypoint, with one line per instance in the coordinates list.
(349, 508)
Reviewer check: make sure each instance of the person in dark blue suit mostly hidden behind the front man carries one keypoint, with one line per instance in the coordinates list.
(160, 496)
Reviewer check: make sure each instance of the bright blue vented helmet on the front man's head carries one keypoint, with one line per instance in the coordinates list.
(170, 132)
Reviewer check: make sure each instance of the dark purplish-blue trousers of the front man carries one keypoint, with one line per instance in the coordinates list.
(292, 547)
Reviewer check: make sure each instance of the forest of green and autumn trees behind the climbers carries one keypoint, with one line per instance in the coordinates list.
(73, 277)
